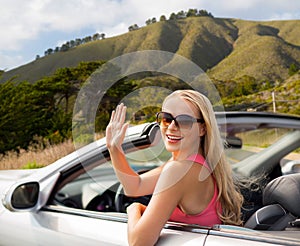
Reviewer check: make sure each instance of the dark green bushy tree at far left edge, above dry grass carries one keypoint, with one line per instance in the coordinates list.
(24, 116)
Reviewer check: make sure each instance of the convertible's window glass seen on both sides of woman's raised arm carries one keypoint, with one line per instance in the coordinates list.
(96, 188)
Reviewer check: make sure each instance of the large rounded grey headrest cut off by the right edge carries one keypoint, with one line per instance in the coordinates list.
(285, 191)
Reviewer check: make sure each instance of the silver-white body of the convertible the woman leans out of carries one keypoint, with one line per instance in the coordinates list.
(50, 223)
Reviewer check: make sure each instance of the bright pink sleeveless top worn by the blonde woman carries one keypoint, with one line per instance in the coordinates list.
(209, 216)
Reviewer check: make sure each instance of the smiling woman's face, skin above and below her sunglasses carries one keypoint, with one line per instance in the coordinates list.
(181, 142)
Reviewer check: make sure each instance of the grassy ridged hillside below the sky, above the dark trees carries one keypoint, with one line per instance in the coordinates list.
(225, 48)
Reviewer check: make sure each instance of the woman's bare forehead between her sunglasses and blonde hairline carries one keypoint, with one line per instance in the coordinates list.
(177, 105)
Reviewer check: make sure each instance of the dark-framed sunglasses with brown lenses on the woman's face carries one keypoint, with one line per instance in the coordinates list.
(182, 121)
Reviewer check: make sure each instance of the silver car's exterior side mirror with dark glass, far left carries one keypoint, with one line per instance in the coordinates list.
(23, 196)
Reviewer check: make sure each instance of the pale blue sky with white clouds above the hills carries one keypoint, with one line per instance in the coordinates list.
(29, 28)
